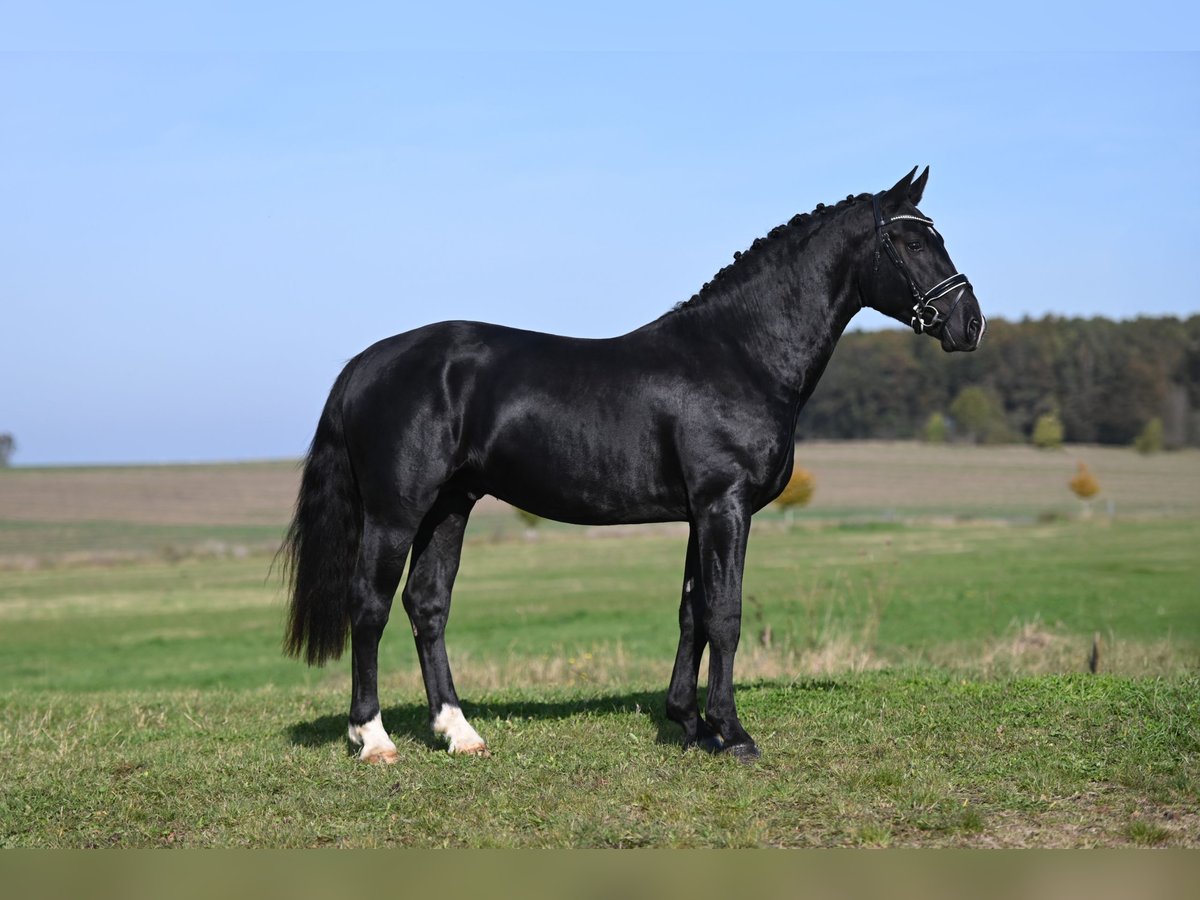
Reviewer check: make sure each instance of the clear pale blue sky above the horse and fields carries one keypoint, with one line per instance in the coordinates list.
(194, 238)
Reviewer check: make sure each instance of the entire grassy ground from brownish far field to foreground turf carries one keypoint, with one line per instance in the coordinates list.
(914, 667)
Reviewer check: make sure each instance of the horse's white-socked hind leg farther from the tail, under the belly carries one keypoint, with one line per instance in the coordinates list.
(427, 599)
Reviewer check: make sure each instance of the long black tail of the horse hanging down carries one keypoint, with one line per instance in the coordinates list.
(322, 544)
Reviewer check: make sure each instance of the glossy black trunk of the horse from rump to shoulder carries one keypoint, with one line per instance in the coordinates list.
(573, 429)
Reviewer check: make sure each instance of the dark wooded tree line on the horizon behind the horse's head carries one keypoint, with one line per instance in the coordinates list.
(1105, 381)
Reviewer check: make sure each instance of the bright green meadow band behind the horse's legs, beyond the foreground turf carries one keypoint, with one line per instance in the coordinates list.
(981, 598)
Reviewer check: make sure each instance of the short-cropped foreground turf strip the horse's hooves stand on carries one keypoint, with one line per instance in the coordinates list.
(896, 759)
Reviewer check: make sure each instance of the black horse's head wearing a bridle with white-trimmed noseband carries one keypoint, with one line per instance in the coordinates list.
(913, 278)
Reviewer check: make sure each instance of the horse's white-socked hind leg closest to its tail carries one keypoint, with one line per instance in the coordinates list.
(381, 562)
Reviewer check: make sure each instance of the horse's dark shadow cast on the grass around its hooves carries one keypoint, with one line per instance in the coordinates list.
(412, 721)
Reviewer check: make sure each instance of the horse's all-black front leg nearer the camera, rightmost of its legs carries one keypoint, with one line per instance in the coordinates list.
(722, 530)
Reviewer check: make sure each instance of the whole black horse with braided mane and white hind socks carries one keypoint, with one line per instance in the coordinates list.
(691, 418)
